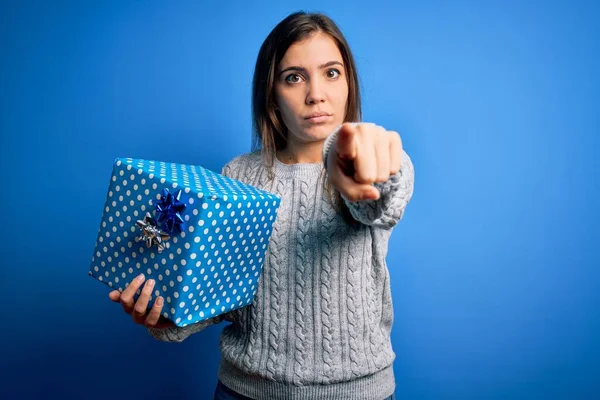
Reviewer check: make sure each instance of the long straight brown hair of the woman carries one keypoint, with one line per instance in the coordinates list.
(269, 130)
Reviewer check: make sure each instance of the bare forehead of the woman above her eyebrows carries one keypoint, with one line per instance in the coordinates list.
(317, 49)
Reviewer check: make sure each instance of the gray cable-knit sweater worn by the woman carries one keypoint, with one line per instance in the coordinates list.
(319, 326)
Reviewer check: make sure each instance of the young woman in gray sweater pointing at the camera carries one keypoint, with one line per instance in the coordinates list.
(319, 325)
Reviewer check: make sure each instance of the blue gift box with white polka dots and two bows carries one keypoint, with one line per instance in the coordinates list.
(200, 235)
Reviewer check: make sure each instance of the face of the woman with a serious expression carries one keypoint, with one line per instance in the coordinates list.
(311, 80)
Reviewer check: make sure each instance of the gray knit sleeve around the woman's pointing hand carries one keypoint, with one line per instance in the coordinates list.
(395, 194)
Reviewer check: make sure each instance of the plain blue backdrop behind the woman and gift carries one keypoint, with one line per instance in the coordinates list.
(494, 267)
